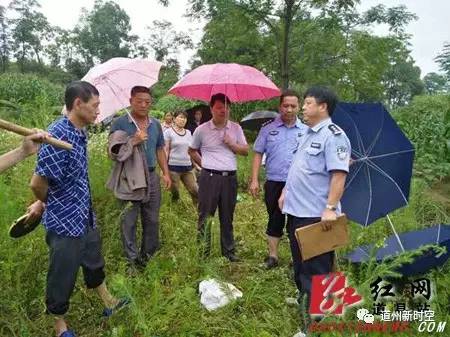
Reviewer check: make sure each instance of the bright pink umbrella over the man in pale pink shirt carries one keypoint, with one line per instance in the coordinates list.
(239, 82)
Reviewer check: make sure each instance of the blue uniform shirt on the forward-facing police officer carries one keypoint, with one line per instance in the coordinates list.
(279, 142)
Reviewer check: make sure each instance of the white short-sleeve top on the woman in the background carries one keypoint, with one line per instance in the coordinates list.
(178, 147)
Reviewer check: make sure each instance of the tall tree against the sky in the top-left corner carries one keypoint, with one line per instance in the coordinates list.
(29, 31)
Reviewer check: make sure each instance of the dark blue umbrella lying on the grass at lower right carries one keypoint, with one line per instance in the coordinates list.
(437, 234)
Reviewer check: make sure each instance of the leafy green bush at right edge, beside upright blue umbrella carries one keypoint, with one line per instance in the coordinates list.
(426, 123)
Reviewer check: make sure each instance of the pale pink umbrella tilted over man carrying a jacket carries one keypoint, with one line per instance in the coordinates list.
(115, 78)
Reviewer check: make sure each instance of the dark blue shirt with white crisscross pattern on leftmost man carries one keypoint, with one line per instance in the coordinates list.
(69, 208)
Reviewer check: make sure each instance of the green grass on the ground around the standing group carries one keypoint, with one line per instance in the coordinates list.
(165, 295)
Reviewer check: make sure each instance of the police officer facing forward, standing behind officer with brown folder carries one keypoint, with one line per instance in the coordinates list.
(277, 139)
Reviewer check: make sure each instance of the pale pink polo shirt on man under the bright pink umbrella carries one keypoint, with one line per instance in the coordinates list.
(216, 155)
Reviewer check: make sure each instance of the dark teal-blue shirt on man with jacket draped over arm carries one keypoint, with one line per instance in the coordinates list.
(155, 138)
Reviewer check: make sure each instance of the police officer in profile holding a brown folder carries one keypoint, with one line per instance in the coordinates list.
(316, 181)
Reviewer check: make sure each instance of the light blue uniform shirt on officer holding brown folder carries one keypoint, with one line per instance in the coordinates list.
(324, 148)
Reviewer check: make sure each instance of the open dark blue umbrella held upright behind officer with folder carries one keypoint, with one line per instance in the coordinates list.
(380, 175)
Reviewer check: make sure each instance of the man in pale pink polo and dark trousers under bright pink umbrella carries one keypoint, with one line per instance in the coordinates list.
(219, 141)
